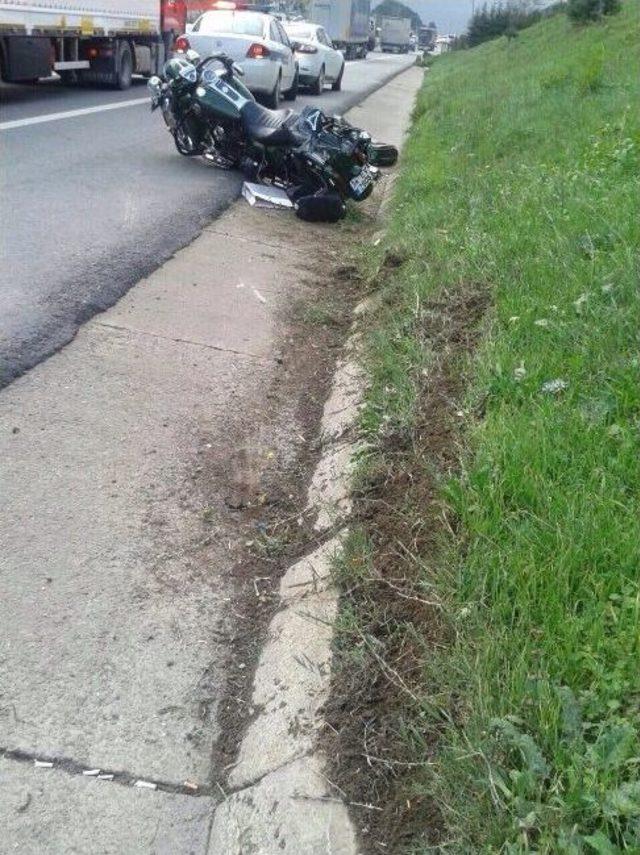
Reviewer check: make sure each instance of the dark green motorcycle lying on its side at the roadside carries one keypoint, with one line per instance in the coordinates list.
(320, 161)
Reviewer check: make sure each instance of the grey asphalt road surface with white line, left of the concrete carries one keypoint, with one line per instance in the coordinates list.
(93, 202)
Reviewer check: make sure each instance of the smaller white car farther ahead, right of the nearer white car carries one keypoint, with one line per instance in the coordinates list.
(318, 61)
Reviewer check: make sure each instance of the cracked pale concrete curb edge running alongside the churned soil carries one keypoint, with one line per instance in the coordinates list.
(279, 799)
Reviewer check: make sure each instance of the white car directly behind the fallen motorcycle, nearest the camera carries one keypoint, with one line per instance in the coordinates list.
(257, 42)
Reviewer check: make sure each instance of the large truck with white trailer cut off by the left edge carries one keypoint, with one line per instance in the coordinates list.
(88, 41)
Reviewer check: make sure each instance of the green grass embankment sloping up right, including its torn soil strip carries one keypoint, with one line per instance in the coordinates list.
(491, 609)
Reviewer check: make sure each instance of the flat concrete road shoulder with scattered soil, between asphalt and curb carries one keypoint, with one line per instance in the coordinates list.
(172, 443)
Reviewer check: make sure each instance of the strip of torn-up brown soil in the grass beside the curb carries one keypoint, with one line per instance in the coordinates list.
(390, 617)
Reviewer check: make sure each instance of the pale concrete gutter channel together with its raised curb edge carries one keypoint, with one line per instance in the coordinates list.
(133, 384)
